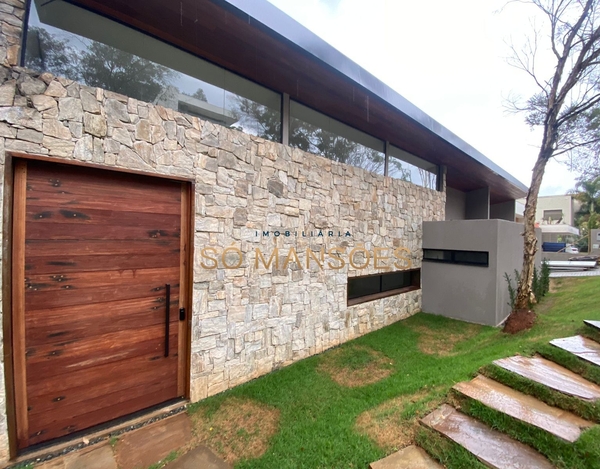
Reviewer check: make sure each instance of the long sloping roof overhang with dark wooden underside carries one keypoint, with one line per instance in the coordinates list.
(258, 41)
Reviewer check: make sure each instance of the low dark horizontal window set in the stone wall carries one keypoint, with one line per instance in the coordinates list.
(373, 287)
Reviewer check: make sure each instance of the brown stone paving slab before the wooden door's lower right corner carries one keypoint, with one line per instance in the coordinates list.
(150, 444)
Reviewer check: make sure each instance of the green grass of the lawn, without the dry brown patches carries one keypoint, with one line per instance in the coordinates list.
(317, 427)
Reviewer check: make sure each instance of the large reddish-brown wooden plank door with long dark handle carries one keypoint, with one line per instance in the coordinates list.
(93, 253)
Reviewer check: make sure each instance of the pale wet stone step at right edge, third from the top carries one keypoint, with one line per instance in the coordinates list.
(550, 374)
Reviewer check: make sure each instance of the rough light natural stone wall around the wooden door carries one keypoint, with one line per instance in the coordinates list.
(248, 319)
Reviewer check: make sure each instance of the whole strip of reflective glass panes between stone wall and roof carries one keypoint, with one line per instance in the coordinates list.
(75, 43)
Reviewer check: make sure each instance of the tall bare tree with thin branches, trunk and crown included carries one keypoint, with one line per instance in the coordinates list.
(565, 101)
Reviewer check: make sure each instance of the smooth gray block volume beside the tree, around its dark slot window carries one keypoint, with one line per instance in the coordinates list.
(471, 293)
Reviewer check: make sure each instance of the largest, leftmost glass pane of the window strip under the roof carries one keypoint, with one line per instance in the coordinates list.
(77, 44)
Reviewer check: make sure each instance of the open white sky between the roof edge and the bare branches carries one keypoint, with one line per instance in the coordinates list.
(449, 59)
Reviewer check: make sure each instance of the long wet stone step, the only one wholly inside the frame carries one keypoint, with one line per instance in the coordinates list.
(528, 409)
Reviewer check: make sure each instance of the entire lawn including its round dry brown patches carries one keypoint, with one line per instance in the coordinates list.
(328, 411)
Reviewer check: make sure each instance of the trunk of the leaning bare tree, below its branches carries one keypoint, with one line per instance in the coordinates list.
(525, 295)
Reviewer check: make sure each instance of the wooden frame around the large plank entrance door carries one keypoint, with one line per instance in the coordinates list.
(13, 310)
